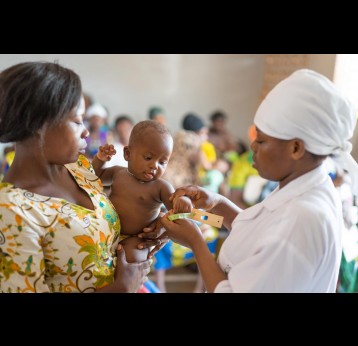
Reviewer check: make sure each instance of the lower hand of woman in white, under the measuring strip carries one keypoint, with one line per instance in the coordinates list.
(182, 231)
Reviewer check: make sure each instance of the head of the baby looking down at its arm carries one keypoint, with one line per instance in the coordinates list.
(149, 150)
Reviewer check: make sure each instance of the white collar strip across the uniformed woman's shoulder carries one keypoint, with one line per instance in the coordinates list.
(293, 189)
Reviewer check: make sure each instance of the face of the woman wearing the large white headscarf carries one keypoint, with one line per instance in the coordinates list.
(272, 157)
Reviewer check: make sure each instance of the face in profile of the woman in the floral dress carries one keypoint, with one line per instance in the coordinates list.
(64, 142)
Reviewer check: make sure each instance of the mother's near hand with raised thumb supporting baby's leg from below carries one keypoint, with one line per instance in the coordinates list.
(128, 277)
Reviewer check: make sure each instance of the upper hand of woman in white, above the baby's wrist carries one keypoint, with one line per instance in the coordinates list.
(200, 197)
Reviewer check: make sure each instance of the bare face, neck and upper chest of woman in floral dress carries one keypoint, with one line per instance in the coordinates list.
(45, 173)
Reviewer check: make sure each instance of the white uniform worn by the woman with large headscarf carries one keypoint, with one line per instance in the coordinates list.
(290, 242)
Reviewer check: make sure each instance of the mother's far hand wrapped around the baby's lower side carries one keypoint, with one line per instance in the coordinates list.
(153, 235)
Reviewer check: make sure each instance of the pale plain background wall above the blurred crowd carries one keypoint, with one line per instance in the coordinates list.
(127, 83)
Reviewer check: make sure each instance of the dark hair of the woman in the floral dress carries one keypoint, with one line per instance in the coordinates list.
(34, 94)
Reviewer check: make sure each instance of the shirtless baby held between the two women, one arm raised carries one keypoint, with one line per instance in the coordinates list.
(138, 192)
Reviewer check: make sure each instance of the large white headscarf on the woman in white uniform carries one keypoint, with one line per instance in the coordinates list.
(308, 106)
